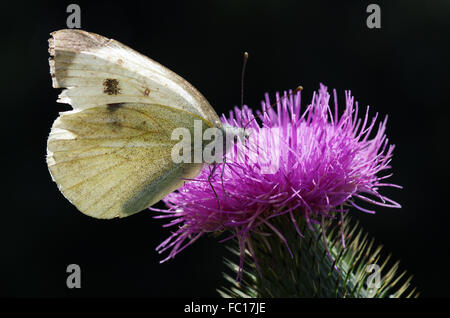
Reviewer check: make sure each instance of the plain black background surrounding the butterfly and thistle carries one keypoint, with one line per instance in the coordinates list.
(401, 69)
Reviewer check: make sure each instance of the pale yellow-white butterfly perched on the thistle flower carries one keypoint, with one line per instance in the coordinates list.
(110, 155)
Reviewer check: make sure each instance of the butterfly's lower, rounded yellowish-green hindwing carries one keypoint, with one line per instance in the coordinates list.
(113, 161)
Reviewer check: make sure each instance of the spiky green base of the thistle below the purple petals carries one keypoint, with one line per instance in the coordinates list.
(320, 266)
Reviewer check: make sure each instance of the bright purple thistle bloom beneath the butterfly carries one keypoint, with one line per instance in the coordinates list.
(324, 164)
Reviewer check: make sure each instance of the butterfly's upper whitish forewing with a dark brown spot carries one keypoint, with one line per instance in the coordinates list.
(99, 71)
